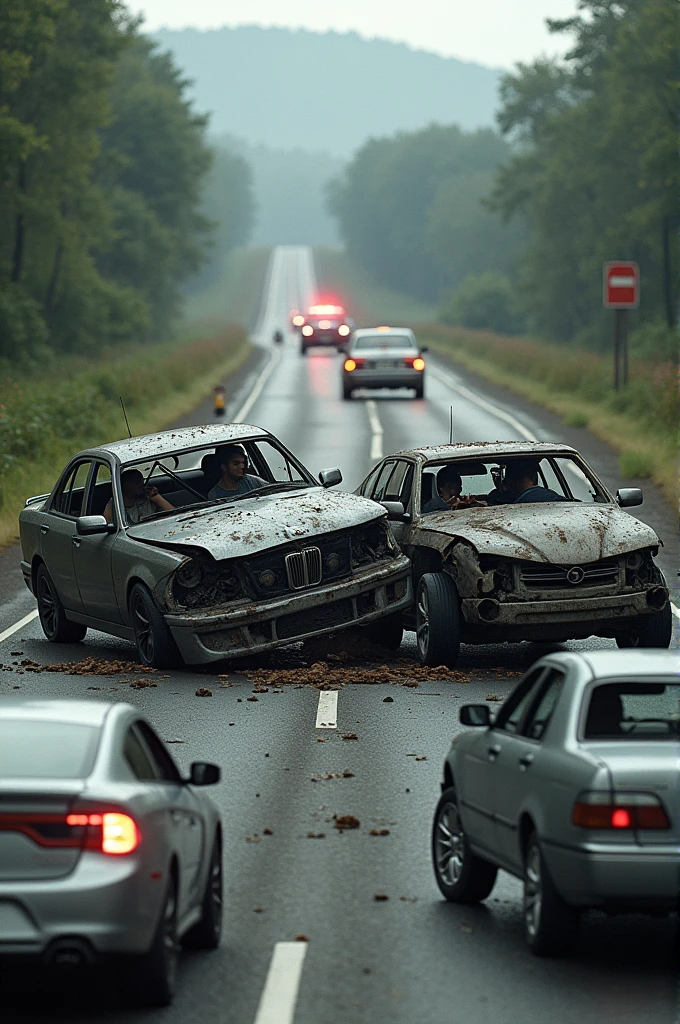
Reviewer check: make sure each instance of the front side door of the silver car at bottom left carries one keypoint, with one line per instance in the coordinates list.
(187, 806)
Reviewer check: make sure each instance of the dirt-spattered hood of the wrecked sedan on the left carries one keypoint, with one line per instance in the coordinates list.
(234, 529)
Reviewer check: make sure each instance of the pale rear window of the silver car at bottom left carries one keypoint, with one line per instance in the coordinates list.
(47, 750)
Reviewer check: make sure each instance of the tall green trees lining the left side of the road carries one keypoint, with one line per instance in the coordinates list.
(104, 164)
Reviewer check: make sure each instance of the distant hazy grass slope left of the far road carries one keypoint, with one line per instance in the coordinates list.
(234, 295)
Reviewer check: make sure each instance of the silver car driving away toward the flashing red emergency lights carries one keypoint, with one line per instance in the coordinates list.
(384, 358)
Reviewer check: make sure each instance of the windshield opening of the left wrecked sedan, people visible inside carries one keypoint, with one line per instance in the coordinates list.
(190, 479)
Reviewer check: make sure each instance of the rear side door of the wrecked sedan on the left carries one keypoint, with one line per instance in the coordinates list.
(59, 535)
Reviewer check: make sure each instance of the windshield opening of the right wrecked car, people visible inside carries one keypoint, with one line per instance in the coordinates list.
(503, 482)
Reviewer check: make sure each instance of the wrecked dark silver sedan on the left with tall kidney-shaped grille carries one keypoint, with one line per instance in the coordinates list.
(152, 540)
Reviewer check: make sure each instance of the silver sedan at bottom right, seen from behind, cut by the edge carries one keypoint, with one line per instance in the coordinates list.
(574, 788)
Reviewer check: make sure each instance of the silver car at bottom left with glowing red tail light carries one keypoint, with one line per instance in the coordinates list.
(106, 851)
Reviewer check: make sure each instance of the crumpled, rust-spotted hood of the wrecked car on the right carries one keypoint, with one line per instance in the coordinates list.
(560, 533)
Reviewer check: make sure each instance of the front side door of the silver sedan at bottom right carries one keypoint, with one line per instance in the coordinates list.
(483, 764)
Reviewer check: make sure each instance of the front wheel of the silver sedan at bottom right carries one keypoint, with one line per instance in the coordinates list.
(461, 876)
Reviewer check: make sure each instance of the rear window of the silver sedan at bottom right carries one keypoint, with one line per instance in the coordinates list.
(634, 711)
